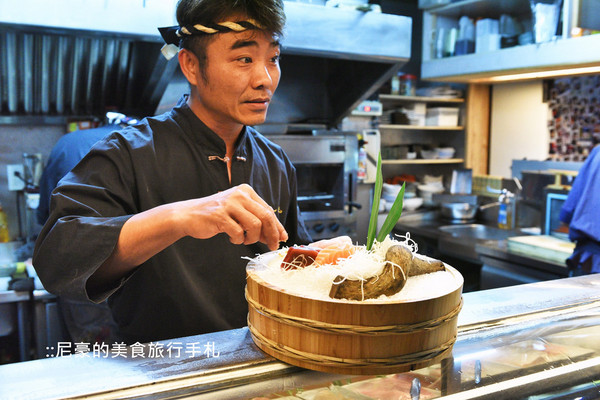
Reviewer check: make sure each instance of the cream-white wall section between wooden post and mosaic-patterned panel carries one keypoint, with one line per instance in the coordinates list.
(518, 125)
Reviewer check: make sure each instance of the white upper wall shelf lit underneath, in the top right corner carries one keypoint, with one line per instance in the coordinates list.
(537, 61)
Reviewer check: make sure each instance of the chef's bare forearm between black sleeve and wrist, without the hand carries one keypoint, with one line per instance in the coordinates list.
(141, 237)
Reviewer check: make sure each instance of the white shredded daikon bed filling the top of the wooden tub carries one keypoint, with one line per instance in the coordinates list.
(315, 281)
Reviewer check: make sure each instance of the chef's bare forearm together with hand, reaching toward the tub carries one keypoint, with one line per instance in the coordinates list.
(238, 212)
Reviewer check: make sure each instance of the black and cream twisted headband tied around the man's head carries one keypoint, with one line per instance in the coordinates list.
(172, 35)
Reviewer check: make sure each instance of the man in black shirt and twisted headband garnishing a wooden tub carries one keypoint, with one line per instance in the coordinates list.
(158, 217)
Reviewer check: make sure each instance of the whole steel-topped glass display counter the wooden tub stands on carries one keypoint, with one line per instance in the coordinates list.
(532, 341)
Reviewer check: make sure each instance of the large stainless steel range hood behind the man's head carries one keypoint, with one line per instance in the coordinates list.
(56, 68)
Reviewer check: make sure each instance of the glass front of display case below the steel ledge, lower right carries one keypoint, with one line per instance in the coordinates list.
(548, 355)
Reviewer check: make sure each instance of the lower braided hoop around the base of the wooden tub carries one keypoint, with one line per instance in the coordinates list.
(398, 361)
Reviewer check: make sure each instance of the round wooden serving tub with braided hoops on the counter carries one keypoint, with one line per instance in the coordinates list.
(349, 337)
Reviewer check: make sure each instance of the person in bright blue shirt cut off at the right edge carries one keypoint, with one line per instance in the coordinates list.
(581, 213)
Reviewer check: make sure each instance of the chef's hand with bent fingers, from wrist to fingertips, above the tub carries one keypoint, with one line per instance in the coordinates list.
(238, 212)
